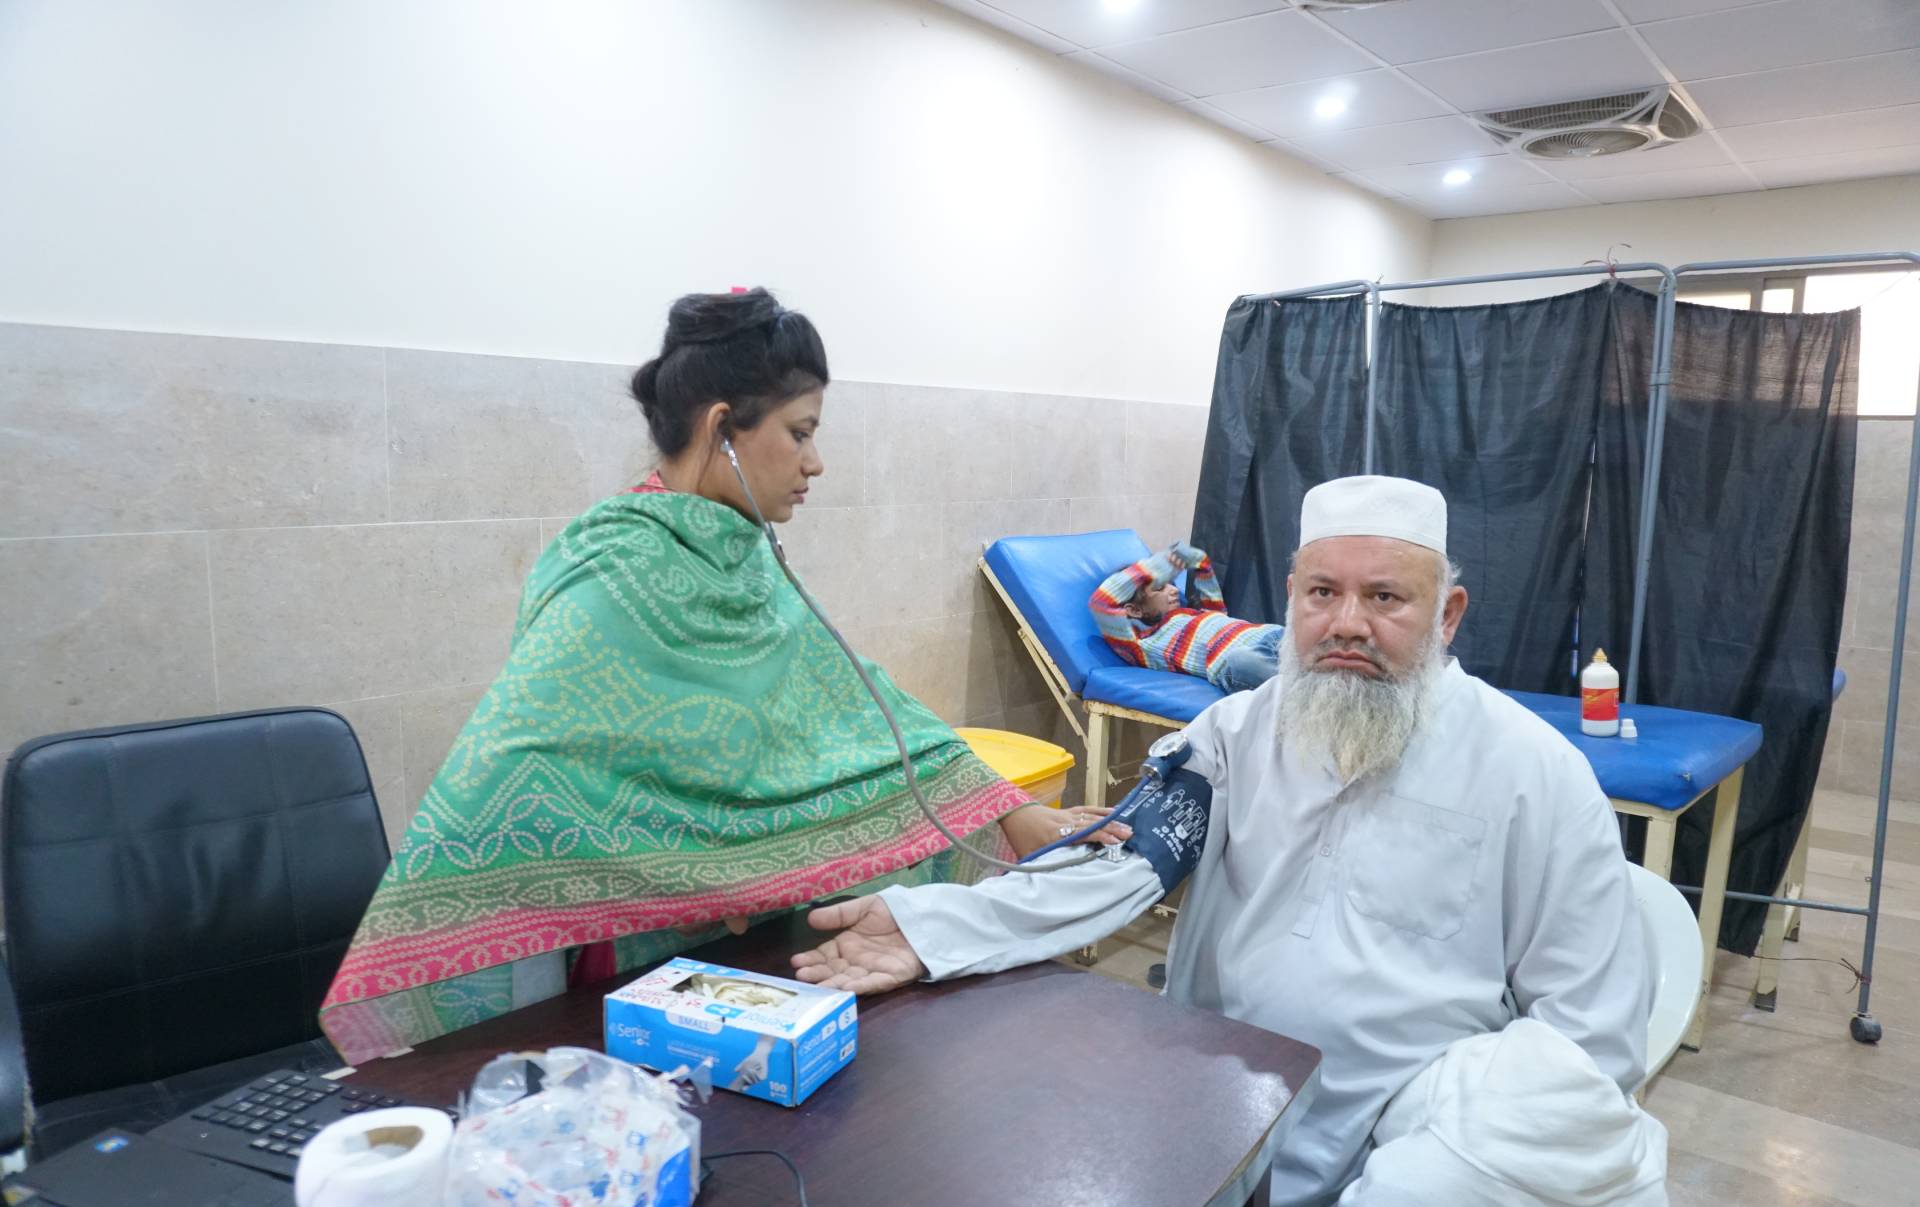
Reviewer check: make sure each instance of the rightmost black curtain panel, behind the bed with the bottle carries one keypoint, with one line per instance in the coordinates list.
(1750, 556)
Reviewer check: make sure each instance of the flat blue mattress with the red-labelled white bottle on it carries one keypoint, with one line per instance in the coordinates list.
(1677, 757)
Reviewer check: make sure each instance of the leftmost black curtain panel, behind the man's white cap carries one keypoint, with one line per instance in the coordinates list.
(1289, 396)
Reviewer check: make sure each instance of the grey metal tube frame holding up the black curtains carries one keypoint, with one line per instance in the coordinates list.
(1863, 1026)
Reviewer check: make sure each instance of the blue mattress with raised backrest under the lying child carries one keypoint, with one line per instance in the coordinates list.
(1051, 580)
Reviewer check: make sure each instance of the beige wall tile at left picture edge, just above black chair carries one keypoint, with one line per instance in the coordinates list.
(103, 632)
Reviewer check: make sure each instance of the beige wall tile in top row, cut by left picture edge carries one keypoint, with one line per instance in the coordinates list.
(137, 433)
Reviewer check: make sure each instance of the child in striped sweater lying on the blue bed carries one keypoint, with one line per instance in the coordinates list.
(1149, 625)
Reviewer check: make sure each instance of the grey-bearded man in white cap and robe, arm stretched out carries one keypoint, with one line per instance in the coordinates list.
(1403, 868)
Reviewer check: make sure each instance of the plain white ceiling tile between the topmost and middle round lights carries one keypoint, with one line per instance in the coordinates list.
(1276, 49)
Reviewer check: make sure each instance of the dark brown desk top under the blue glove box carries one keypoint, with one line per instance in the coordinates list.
(1042, 1085)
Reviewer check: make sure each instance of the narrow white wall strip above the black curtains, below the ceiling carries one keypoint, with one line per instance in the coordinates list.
(1819, 220)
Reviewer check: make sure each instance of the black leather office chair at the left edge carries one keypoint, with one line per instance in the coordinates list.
(178, 901)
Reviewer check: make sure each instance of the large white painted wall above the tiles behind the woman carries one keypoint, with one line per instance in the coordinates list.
(955, 208)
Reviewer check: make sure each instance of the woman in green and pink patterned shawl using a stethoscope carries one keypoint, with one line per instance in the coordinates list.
(675, 742)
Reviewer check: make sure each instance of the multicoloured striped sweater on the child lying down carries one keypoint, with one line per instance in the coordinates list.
(1188, 640)
